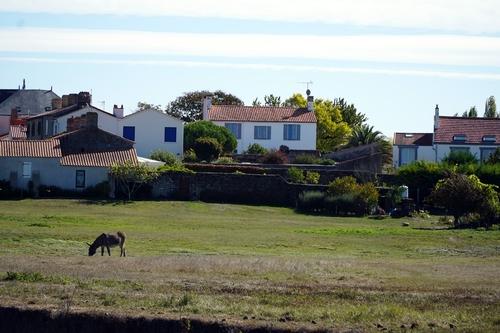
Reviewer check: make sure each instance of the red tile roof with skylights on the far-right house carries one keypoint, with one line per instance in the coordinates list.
(474, 128)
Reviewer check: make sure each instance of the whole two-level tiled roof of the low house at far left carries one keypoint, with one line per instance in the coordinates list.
(85, 147)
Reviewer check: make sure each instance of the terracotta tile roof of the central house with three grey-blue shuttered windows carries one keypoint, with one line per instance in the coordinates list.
(260, 114)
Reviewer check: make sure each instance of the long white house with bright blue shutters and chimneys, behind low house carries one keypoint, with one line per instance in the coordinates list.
(149, 129)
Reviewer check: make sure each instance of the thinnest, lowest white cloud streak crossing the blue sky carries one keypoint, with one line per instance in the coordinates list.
(254, 66)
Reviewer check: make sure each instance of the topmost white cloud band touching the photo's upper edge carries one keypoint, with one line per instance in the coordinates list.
(470, 16)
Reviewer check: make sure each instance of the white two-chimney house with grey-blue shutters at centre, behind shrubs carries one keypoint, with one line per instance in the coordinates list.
(270, 127)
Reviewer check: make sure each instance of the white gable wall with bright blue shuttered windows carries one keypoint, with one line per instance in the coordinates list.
(150, 132)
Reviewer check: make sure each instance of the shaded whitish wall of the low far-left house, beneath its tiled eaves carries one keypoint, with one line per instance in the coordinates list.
(51, 172)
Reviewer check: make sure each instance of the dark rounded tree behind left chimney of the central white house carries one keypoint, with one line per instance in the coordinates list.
(189, 107)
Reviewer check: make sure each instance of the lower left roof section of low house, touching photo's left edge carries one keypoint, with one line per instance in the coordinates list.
(30, 148)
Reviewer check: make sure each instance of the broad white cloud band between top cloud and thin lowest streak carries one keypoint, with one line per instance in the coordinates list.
(412, 49)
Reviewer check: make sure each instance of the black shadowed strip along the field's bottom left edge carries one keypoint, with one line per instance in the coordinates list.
(44, 321)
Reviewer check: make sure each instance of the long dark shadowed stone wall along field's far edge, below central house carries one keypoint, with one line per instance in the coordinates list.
(230, 188)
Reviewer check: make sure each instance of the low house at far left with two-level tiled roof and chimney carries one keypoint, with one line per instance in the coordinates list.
(74, 160)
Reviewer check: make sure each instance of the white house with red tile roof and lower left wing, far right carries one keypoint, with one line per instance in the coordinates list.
(479, 136)
